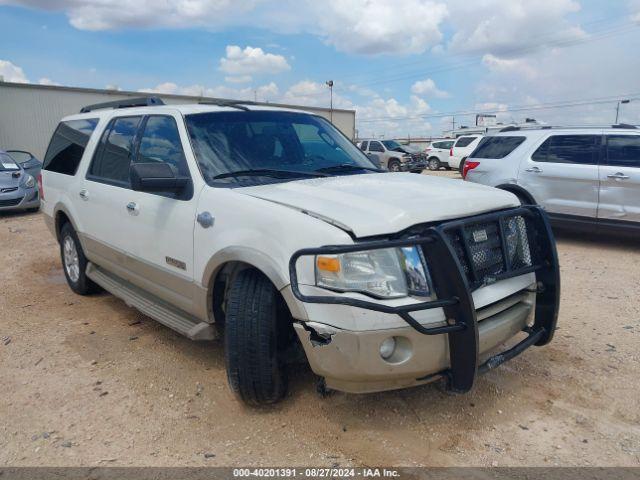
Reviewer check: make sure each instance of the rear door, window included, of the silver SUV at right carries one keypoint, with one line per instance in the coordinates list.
(562, 174)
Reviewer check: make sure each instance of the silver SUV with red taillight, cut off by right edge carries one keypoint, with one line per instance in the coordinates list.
(581, 176)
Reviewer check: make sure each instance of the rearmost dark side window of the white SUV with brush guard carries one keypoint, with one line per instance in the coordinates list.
(67, 145)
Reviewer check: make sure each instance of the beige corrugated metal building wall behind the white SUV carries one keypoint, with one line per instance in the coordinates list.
(29, 113)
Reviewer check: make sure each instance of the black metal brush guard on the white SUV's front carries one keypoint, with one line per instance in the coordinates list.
(454, 293)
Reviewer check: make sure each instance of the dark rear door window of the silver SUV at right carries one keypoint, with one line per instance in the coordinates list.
(576, 149)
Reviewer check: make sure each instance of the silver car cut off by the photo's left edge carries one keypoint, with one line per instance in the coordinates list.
(18, 188)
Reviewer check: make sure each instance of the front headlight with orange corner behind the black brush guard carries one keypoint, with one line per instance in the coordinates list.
(382, 273)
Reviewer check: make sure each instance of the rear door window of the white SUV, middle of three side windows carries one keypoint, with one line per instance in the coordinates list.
(113, 156)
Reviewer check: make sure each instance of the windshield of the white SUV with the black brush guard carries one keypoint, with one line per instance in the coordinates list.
(248, 147)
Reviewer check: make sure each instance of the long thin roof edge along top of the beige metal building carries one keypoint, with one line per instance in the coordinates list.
(188, 99)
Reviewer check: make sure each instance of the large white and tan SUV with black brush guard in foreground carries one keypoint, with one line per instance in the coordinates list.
(270, 228)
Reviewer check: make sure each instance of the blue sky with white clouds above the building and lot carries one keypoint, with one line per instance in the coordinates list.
(406, 66)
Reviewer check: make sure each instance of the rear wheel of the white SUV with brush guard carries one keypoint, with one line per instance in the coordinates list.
(74, 263)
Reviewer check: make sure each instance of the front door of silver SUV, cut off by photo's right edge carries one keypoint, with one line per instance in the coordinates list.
(620, 178)
